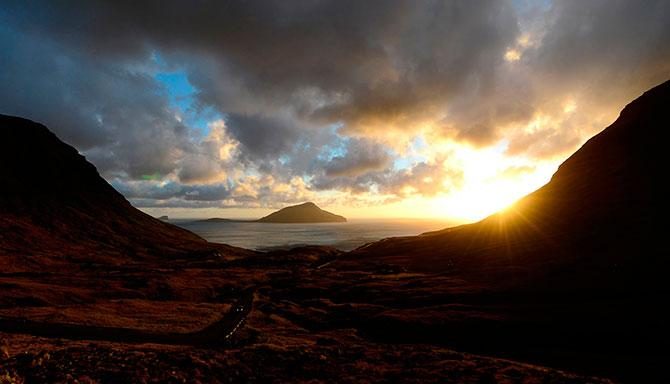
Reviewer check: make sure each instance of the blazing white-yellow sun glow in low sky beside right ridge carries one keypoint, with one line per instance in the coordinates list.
(491, 181)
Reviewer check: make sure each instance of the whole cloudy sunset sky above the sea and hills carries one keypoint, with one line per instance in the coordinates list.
(417, 109)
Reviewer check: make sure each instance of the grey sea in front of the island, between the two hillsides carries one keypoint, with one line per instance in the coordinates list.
(344, 236)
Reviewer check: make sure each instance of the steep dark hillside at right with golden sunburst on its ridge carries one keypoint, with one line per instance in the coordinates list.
(594, 224)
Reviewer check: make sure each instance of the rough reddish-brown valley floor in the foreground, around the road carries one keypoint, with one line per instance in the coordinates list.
(307, 324)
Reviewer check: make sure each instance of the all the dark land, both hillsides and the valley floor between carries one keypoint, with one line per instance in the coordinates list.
(567, 286)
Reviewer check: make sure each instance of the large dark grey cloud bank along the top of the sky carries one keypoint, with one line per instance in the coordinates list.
(329, 60)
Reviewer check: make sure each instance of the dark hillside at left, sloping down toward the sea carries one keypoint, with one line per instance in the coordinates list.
(56, 210)
